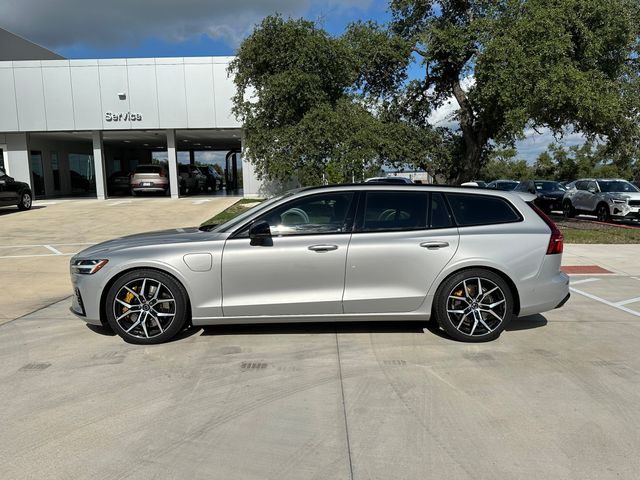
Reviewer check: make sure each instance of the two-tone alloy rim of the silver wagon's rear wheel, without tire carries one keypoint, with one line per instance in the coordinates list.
(476, 306)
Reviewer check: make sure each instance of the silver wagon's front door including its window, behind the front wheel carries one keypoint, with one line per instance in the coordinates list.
(300, 269)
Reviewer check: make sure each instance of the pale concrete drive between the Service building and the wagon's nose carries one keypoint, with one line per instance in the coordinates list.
(35, 245)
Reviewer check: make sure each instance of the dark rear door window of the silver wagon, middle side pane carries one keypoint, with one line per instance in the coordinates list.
(389, 210)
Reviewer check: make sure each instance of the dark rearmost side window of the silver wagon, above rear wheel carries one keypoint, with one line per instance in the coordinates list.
(481, 209)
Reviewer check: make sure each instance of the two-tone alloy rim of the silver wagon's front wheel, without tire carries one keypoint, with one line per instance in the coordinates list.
(144, 308)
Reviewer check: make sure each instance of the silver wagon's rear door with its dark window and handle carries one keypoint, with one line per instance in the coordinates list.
(401, 242)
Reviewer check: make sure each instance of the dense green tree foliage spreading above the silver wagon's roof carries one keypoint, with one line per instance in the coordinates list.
(319, 107)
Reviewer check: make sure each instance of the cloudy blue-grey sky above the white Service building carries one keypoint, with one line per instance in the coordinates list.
(98, 23)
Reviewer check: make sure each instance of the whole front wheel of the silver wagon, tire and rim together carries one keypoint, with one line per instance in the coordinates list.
(146, 307)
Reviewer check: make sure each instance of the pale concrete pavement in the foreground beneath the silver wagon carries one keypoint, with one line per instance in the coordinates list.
(556, 397)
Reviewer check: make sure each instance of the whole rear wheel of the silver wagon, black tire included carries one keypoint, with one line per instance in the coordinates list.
(464, 330)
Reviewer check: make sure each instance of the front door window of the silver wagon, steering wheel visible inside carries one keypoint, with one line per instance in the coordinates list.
(316, 214)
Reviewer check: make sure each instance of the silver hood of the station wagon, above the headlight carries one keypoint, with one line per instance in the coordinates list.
(162, 237)
